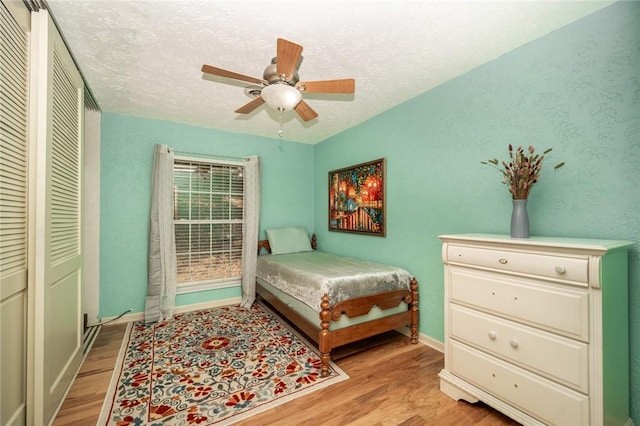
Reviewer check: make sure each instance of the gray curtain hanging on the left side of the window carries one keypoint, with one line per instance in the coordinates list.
(161, 287)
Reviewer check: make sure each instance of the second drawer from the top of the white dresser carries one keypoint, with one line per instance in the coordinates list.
(557, 309)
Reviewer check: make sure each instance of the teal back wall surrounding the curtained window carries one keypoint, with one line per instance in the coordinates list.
(127, 145)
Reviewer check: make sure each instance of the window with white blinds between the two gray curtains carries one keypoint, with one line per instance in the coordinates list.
(208, 216)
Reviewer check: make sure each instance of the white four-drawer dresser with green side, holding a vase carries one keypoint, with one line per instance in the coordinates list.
(538, 328)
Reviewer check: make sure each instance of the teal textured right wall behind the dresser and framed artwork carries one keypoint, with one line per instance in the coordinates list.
(576, 90)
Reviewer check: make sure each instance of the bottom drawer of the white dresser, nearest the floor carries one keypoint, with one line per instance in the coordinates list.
(547, 401)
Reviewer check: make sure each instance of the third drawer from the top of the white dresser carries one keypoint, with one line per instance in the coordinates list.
(558, 358)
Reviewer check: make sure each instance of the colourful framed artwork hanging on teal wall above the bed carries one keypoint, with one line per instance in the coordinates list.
(357, 199)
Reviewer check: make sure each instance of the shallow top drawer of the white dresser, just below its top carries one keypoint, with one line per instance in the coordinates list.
(557, 267)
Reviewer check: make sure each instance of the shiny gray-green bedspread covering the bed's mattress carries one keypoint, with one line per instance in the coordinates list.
(308, 276)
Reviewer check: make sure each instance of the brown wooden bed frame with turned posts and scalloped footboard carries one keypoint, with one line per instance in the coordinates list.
(328, 339)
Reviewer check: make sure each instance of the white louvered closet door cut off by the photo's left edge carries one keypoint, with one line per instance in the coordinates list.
(14, 110)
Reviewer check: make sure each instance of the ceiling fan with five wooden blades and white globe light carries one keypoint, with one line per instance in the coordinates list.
(280, 87)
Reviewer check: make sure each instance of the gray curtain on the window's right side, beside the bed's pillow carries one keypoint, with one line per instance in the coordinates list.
(250, 229)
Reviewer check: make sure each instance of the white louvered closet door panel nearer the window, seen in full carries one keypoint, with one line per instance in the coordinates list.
(57, 271)
